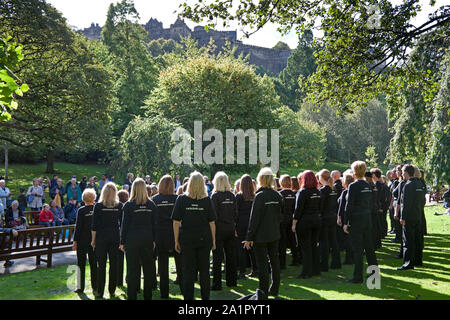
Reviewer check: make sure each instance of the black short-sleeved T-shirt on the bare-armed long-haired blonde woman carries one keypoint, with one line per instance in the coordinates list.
(195, 216)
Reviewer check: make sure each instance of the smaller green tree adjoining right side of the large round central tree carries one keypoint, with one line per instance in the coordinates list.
(302, 143)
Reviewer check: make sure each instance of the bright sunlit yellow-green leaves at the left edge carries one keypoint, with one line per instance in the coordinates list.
(10, 56)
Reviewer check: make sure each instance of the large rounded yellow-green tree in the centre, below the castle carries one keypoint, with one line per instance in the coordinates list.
(222, 91)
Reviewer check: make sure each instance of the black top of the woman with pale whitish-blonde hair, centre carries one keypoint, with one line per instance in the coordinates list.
(225, 206)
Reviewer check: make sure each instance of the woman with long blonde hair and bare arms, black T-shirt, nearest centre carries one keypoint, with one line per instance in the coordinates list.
(195, 235)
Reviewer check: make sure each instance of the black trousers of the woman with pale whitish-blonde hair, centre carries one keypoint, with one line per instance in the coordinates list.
(225, 247)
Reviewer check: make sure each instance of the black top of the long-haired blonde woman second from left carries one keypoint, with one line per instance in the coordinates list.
(105, 221)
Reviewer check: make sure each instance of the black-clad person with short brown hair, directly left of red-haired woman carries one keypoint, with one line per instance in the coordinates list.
(287, 239)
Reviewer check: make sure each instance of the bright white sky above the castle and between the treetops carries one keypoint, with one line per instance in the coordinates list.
(81, 13)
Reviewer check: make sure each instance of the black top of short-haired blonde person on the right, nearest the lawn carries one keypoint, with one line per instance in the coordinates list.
(359, 201)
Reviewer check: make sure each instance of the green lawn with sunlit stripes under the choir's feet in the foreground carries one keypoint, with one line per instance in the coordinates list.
(432, 281)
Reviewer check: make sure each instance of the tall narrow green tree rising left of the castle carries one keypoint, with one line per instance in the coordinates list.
(136, 72)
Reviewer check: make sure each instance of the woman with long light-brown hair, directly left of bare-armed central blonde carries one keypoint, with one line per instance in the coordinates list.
(165, 201)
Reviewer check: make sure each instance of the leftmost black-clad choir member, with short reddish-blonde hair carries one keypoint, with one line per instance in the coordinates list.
(82, 241)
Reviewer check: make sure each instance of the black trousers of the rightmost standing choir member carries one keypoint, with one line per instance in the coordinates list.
(411, 242)
